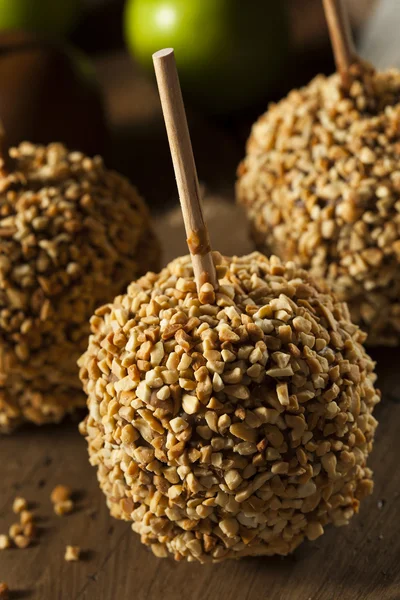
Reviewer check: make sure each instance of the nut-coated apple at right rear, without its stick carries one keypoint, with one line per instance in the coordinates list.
(321, 186)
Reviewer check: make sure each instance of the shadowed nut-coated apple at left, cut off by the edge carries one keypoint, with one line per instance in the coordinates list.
(72, 234)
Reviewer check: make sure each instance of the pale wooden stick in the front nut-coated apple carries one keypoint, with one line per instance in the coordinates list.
(184, 166)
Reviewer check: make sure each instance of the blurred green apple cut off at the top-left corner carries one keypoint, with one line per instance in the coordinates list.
(51, 17)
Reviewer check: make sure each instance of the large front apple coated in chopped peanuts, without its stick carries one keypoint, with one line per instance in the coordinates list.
(233, 427)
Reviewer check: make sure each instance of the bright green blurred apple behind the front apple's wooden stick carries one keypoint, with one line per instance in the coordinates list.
(229, 52)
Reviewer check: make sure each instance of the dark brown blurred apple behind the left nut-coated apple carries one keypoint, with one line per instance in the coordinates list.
(49, 92)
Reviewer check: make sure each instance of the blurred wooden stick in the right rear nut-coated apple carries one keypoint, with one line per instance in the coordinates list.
(341, 38)
